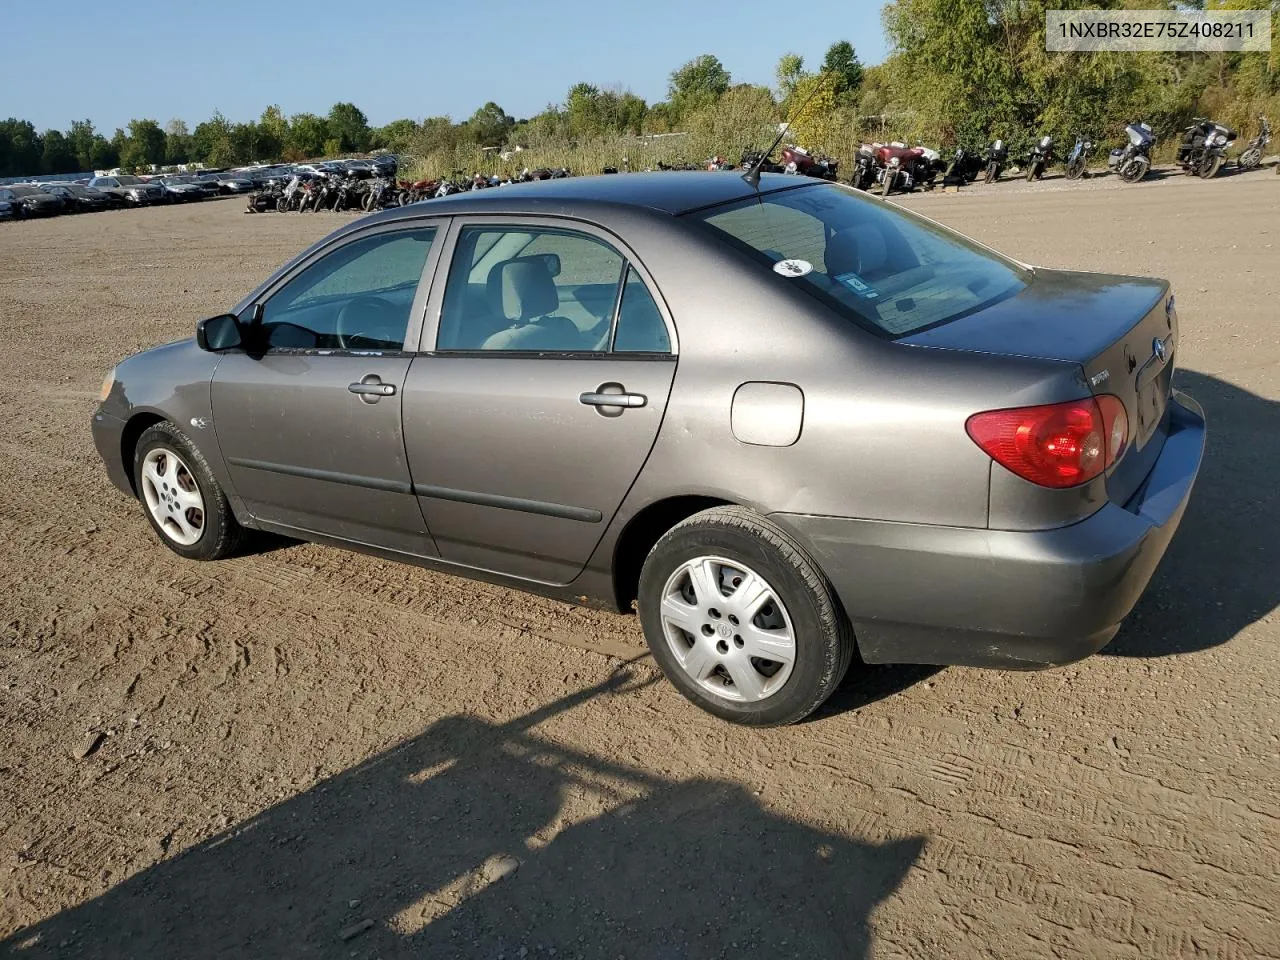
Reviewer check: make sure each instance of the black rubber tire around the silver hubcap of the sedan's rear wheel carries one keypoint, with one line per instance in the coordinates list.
(822, 636)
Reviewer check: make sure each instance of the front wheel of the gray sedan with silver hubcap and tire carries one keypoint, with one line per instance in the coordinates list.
(182, 500)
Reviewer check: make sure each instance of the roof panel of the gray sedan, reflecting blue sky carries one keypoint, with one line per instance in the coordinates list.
(671, 193)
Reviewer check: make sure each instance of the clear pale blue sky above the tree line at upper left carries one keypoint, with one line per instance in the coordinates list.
(185, 60)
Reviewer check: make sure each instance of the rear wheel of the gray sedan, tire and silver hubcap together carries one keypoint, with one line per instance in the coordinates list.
(742, 620)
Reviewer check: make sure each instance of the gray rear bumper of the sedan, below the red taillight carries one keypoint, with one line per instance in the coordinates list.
(994, 598)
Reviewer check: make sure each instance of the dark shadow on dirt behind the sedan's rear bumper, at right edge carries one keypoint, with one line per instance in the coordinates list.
(1223, 570)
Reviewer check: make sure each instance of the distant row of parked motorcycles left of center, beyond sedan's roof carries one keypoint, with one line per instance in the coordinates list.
(310, 193)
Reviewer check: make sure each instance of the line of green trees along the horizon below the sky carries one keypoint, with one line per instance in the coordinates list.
(958, 72)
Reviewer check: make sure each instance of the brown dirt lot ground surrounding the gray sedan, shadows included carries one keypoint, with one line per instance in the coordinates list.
(313, 753)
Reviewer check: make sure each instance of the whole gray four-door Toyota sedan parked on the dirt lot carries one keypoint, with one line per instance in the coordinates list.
(792, 426)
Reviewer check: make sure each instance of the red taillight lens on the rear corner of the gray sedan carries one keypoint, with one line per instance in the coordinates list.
(1057, 445)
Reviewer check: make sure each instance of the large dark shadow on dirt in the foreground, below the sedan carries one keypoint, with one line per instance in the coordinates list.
(666, 871)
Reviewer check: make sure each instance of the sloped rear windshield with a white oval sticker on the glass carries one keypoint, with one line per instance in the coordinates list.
(877, 264)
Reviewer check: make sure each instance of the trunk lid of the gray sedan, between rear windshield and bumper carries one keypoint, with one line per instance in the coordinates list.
(1122, 331)
